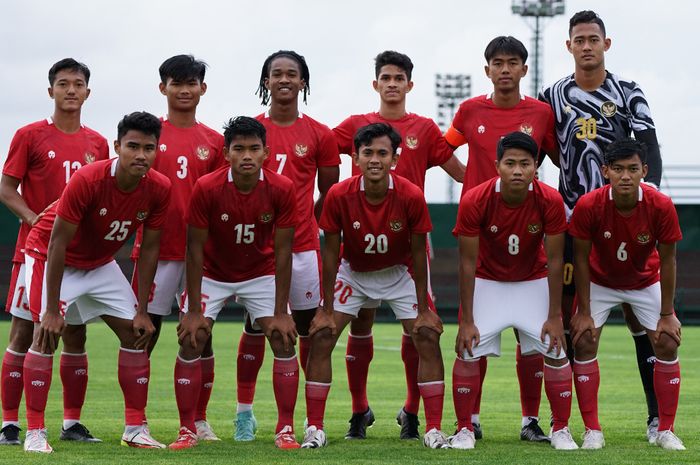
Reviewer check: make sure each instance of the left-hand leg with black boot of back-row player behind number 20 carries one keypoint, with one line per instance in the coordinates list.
(359, 353)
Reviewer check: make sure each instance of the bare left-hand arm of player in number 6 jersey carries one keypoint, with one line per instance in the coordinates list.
(582, 320)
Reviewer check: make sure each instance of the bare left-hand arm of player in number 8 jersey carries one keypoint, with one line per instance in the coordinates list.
(468, 334)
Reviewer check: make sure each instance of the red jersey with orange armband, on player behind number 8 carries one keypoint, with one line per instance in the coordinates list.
(481, 124)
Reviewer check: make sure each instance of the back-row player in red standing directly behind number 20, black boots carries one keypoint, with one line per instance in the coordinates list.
(422, 147)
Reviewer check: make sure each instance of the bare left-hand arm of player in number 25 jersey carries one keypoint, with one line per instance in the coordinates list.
(52, 322)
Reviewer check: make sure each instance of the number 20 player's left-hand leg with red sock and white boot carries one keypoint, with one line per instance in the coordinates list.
(318, 379)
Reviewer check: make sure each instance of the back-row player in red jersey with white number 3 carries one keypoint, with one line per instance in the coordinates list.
(187, 150)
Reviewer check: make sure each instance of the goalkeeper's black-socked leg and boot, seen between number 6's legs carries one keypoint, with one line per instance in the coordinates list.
(645, 362)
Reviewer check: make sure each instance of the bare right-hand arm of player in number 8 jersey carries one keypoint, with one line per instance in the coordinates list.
(554, 248)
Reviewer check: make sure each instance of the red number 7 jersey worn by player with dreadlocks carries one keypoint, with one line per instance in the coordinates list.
(297, 151)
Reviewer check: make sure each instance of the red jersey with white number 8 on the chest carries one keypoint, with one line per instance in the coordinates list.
(510, 238)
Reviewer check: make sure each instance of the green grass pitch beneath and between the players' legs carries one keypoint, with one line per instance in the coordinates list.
(622, 409)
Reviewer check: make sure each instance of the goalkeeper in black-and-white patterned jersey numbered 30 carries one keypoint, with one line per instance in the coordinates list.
(593, 108)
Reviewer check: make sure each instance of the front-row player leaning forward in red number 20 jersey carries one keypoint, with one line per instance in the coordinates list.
(383, 220)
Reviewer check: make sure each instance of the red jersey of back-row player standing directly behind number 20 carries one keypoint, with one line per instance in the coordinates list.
(422, 145)
